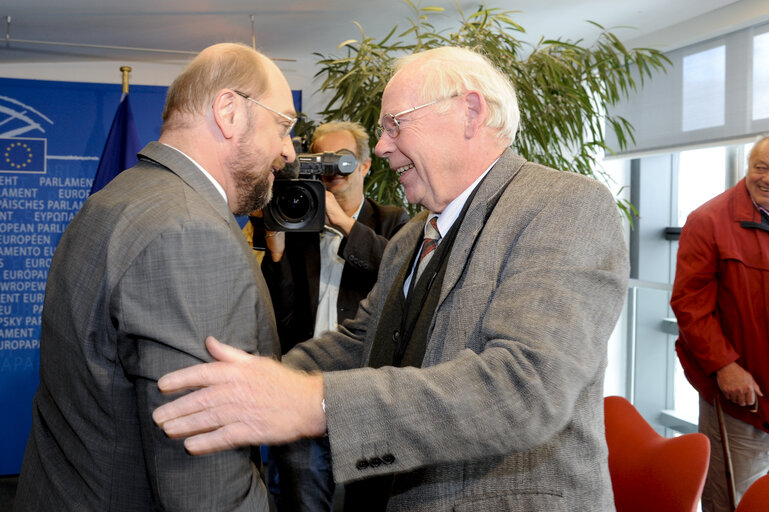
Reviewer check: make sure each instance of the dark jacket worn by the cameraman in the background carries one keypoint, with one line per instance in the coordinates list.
(294, 280)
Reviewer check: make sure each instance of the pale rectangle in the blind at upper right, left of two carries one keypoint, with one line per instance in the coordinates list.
(704, 81)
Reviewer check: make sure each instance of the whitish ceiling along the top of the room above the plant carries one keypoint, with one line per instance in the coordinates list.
(294, 29)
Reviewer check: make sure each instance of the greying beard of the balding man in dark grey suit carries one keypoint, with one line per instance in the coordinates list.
(253, 187)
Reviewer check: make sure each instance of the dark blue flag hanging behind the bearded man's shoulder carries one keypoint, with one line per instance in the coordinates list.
(121, 148)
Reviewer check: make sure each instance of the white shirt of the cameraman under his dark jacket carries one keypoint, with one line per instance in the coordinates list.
(331, 267)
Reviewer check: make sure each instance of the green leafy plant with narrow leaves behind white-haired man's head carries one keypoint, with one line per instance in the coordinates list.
(564, 89)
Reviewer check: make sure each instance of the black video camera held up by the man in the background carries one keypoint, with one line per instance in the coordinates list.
(298, 195)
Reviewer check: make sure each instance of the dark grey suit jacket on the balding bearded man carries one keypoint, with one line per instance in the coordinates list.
(152, 264)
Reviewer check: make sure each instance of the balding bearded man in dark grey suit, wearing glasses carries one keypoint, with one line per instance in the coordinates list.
(153, 264)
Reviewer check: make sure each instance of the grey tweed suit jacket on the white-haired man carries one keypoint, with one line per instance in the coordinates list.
(506, 412)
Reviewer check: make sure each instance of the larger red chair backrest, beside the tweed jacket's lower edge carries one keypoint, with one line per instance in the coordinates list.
(649, 471)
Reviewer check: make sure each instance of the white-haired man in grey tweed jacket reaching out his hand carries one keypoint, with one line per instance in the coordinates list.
(479, 384)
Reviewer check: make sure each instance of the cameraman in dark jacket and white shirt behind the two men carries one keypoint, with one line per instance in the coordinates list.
(316, 280)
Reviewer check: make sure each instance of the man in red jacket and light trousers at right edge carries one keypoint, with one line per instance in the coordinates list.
(721, 299)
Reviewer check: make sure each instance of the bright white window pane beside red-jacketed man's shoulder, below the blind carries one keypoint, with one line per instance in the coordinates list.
(701, 176)
